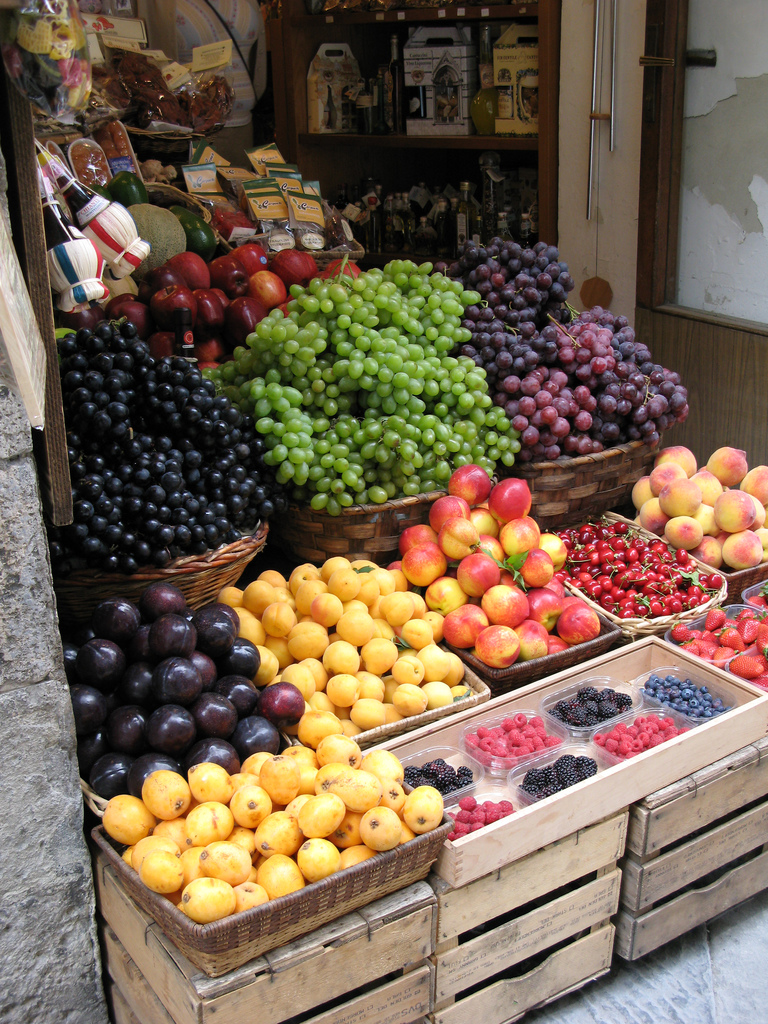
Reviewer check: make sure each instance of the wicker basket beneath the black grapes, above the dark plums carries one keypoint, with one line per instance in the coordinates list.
(200, 578)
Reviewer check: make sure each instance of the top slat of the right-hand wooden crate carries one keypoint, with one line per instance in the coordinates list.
(699, 800)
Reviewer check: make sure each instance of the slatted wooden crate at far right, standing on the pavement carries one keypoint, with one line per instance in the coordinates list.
(695, 849)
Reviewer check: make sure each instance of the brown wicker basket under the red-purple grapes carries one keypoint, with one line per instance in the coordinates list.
(569, 491)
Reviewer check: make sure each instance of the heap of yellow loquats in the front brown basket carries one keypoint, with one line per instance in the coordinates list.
(217, 844)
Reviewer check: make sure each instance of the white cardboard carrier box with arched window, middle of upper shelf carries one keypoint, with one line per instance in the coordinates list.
(441, 76)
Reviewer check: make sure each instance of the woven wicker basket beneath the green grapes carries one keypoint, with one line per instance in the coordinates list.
(361, 532)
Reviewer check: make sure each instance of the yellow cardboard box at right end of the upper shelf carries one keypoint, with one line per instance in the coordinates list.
(517, 70)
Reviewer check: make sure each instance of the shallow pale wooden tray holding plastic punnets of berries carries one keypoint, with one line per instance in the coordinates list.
(611, 791)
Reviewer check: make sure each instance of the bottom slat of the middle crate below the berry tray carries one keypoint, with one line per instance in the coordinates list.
(508, 1000)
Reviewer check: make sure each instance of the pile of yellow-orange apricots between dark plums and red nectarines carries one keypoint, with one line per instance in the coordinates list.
(361, 647)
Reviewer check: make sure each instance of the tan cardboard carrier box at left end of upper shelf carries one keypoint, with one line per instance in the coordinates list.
(332, 87)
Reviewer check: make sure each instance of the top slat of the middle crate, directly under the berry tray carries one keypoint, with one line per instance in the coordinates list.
(527, 880)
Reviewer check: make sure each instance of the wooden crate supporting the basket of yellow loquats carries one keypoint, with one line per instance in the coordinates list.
(370, 966)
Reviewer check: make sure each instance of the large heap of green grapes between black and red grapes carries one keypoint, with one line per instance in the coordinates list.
(356, 395)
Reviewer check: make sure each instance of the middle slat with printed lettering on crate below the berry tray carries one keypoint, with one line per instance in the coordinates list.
(481, 958)
